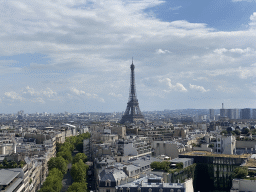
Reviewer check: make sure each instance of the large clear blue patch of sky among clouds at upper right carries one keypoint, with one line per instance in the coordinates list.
(219, 14)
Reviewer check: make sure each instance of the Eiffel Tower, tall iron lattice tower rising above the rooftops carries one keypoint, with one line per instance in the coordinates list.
(132, 113)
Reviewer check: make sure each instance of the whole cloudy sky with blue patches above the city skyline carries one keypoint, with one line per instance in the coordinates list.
(75, 55)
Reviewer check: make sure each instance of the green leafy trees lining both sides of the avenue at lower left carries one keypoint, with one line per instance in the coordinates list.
(58, 165)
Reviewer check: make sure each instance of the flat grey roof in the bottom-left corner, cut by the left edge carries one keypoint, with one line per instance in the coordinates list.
(8, 175)
